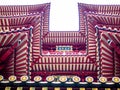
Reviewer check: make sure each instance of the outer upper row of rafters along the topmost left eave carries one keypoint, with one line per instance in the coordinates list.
(24, 8)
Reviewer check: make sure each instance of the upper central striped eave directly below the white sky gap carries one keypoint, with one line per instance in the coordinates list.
(64, 38)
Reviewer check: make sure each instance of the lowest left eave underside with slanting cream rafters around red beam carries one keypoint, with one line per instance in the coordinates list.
(17, 62)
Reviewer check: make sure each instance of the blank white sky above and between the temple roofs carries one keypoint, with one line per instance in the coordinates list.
(63, 13)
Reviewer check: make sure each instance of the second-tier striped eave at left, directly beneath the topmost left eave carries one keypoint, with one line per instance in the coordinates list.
(13, 22)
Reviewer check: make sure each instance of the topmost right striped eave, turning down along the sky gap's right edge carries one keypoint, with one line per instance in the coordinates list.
(96, 9)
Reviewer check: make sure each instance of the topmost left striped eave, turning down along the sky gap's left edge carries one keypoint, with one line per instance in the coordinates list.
(18, 10)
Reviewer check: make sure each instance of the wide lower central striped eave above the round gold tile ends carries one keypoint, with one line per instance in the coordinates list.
(64, 63)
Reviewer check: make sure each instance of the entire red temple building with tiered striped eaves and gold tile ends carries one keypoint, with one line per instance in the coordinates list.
(32, 57)
